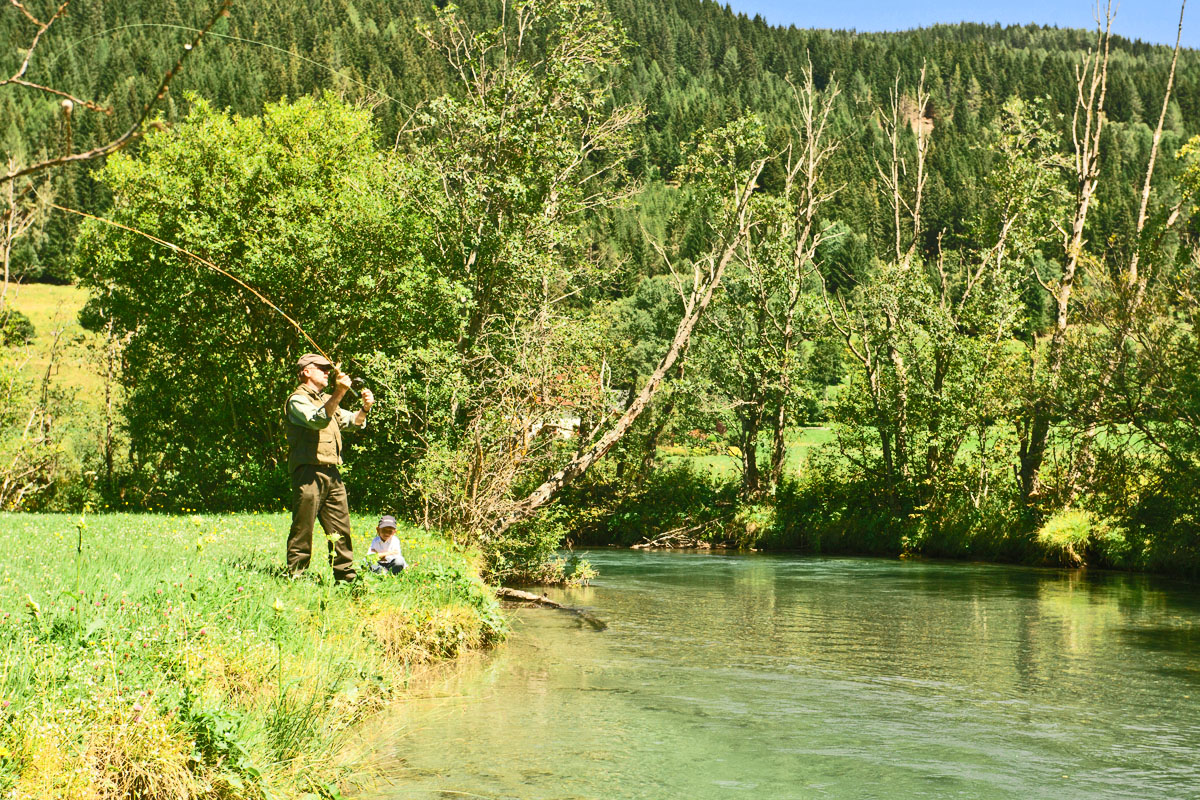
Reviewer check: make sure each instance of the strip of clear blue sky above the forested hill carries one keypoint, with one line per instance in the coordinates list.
(1151, 21)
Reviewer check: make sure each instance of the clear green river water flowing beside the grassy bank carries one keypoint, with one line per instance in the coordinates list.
(776, 677)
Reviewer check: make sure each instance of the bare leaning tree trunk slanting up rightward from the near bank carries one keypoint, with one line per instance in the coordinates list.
(701, 294)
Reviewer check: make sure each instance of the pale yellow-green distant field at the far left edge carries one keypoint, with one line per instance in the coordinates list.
(52, 309)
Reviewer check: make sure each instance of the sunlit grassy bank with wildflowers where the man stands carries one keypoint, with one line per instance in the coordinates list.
(173, 660)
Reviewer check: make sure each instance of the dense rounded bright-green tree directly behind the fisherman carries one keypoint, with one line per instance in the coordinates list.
(298, 204)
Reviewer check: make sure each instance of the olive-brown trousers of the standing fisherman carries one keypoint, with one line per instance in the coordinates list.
(319, 492)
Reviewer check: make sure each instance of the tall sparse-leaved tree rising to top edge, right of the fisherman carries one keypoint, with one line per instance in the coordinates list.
(526, 148)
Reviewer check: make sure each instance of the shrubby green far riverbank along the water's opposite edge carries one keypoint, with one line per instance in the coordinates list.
(825, 513)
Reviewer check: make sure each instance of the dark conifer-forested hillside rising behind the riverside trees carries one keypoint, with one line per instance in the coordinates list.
(694, 65)
